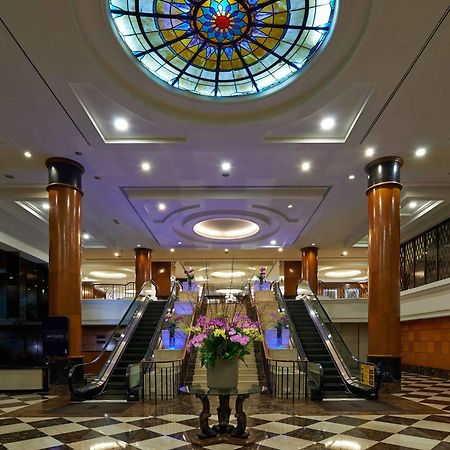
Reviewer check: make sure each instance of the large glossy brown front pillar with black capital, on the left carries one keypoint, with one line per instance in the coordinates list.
(64, 198)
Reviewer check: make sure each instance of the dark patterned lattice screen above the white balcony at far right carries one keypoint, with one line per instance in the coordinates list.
(426, 258)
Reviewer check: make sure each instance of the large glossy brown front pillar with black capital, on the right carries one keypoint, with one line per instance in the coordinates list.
(384, 268)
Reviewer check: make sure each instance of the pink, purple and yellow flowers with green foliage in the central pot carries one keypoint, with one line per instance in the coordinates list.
(224, 338)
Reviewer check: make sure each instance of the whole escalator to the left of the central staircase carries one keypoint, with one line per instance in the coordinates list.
(128, 344)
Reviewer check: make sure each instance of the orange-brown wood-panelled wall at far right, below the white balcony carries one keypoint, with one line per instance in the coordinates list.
(426, 343)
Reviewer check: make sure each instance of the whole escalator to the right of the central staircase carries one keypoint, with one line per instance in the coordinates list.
(342, 374)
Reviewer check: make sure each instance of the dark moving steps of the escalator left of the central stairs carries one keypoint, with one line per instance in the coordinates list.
(134, 352)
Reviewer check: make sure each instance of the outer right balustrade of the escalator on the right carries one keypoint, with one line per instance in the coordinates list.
(348, 366)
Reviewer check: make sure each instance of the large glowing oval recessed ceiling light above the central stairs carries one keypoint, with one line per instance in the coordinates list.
(226, 228)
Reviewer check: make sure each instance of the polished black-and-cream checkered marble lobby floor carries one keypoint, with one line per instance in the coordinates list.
(417, 418)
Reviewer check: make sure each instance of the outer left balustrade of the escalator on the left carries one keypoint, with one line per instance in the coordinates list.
(116, 343)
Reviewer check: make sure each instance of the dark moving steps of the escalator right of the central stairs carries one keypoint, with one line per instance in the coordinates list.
(315, 349)
